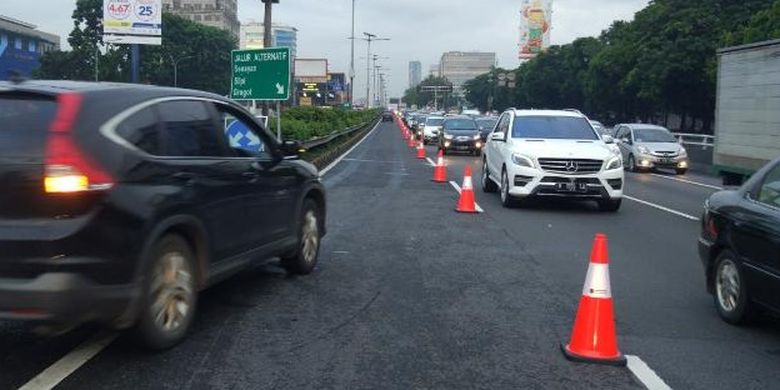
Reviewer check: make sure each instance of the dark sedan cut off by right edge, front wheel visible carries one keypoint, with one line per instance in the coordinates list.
(740, 246)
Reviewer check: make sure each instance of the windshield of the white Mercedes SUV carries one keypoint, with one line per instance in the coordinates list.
(552, 127)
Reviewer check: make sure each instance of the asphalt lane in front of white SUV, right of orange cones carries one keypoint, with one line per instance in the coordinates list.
(663, 312)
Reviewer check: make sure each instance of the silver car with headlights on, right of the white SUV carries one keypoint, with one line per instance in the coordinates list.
(646, 147)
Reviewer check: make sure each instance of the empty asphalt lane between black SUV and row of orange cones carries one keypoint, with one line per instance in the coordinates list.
(405, 297)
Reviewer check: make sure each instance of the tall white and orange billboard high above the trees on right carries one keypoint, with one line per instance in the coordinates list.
(535, 21)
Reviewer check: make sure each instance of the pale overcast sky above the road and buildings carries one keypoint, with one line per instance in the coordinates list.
(418, 29)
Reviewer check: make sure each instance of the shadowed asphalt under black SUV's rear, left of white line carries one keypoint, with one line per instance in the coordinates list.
(24, 353)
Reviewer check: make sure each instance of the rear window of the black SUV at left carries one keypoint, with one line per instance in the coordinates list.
(24, 124)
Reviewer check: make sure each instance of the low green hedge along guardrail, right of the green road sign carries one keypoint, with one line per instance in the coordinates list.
(305, 123)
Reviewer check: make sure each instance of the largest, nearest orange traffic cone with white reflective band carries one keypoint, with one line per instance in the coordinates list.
(593, 339)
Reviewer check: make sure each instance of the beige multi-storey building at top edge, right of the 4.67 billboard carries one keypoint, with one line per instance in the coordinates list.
(222, 14)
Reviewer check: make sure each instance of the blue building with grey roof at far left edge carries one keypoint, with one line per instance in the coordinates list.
(21, 47)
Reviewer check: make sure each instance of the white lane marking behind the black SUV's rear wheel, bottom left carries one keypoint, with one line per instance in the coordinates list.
(68, 364)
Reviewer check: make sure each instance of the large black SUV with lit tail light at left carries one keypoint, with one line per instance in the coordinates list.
(120, 202)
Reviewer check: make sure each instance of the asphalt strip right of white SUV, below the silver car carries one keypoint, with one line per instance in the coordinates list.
(683, 197)
